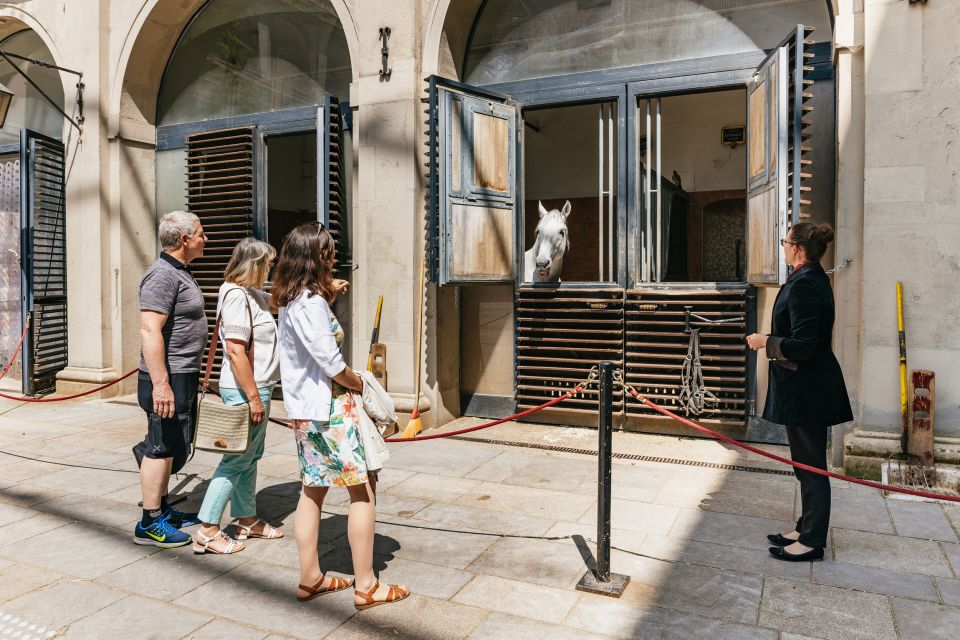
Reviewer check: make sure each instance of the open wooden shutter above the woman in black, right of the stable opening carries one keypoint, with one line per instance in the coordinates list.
(777, 171)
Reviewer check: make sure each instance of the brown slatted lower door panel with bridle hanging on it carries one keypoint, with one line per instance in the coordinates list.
(656, 346)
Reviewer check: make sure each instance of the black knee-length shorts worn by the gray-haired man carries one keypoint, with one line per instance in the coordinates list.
(169, 437)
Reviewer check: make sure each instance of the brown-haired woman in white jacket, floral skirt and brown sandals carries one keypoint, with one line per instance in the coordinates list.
(318, 394)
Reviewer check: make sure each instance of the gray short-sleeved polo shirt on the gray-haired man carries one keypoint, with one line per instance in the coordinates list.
(168, 287)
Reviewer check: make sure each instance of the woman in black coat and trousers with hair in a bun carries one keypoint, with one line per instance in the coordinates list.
(805, 388)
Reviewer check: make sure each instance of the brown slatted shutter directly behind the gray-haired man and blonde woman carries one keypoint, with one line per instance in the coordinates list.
(220, 191)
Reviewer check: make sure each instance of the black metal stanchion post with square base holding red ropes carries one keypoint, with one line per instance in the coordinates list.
(602, 581)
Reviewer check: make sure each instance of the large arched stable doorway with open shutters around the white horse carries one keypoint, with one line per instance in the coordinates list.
(639, 114)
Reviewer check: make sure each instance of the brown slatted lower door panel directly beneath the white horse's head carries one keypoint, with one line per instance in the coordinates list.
(561, 335)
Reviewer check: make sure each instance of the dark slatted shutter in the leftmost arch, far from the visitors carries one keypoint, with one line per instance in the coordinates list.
(43, 260)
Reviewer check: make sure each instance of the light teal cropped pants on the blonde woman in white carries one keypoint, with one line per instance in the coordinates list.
(236, 476)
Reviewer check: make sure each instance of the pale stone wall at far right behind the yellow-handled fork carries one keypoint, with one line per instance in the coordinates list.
(911, 185)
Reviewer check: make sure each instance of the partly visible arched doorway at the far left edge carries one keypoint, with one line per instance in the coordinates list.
(32, 222)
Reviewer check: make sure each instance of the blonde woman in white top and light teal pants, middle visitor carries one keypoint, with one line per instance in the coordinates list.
(235, 479)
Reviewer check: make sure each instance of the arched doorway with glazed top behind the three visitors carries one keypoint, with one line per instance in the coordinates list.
(253, 130)
